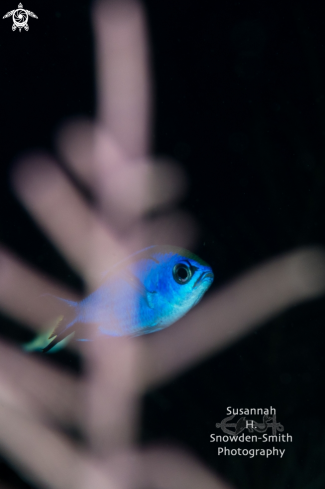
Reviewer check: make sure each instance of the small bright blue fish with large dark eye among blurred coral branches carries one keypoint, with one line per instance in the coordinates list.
(146, 292)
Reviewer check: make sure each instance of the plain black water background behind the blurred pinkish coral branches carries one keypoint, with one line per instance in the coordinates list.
(240, 103)
